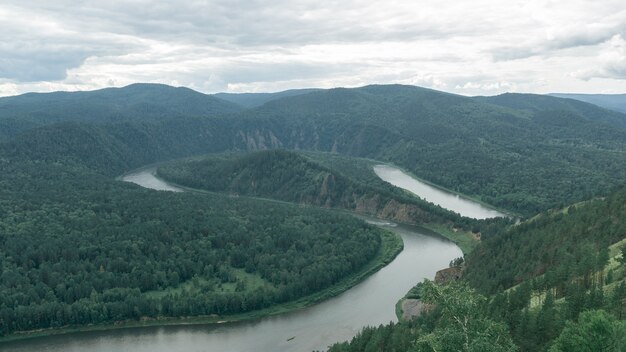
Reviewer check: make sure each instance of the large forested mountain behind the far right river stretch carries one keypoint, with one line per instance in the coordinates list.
(516, 159)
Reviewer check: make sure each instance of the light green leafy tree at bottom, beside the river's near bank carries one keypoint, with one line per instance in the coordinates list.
(464, 325)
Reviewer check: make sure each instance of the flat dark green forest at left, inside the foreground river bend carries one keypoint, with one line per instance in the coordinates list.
(78, 248)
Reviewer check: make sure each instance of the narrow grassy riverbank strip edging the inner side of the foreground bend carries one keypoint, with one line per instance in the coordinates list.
(391, 246)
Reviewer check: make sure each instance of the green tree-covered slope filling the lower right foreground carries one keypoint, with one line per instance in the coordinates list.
(570, 291)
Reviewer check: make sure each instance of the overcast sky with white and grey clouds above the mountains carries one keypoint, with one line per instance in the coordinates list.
(466, 47)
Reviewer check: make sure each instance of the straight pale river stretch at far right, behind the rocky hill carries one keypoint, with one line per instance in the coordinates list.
(447, 200)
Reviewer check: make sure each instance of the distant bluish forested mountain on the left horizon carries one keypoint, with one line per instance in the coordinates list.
(136, 102)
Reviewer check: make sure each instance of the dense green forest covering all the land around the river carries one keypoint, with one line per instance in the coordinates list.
(78, 247)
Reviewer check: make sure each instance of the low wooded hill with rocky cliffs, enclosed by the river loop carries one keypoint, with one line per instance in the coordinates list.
(303, 179)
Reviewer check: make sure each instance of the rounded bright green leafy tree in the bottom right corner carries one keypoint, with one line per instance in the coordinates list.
(595, 330)
